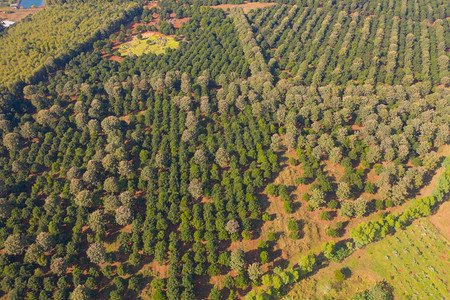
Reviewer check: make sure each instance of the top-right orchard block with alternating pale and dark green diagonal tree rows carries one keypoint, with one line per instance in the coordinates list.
(395, 59)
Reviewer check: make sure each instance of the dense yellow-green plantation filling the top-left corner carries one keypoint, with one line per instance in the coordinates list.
(55, 34)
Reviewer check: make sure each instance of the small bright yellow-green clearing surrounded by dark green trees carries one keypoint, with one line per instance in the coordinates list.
(152, 44)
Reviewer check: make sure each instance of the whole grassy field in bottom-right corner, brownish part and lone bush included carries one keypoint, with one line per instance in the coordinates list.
(414, 261)
